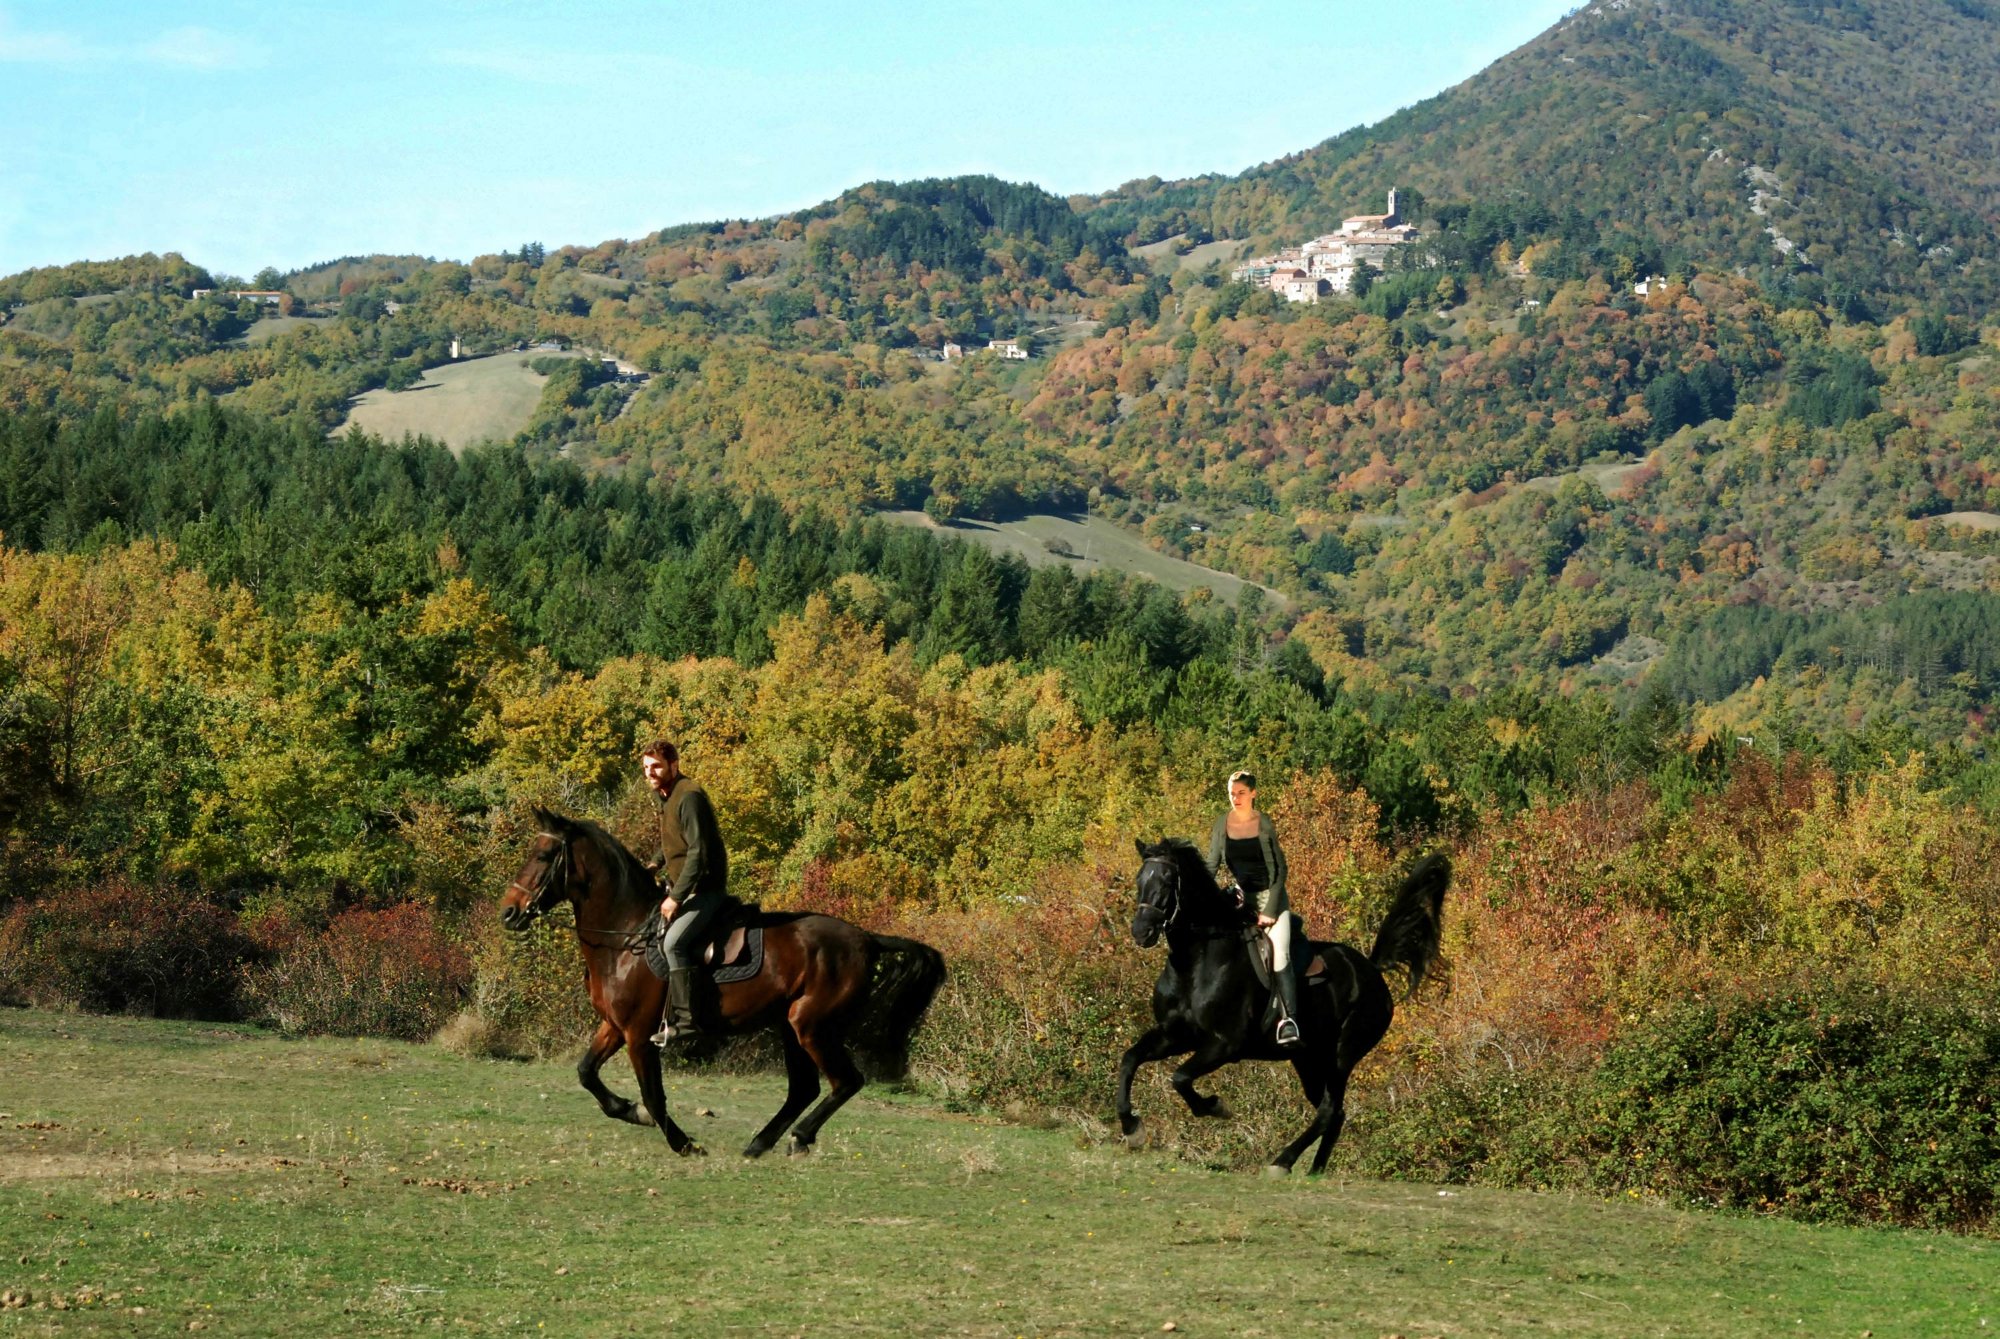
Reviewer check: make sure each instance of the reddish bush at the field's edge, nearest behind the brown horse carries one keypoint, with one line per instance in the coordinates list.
(373, 974)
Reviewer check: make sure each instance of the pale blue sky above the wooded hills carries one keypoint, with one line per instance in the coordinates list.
(247, 135)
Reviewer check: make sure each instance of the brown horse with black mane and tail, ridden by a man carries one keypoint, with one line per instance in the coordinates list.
(825, 984)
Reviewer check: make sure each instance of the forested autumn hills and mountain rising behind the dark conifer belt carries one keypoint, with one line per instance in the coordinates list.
(1503, 467)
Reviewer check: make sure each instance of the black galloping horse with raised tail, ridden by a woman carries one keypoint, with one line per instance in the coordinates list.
(1209, 998)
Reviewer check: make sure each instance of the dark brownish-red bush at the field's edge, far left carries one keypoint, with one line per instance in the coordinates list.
(123, 948)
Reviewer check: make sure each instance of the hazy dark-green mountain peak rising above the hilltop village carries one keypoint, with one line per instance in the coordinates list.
(1849, 147)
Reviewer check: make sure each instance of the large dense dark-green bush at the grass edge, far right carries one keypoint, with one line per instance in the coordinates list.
(1821, 1106)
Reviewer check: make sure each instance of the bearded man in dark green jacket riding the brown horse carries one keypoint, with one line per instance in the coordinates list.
(695, 870)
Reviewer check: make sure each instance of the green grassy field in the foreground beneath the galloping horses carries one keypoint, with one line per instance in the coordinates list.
(171, 1178)
